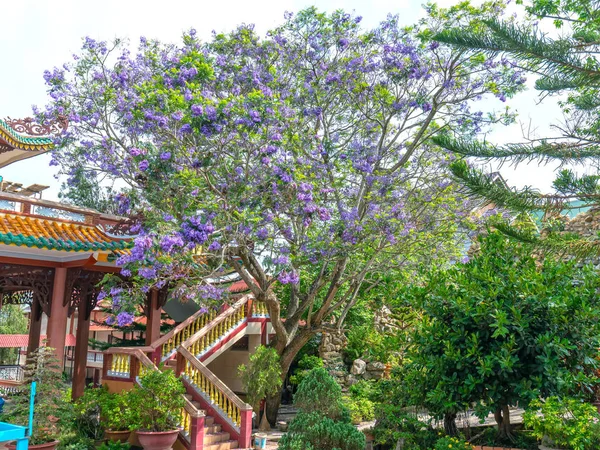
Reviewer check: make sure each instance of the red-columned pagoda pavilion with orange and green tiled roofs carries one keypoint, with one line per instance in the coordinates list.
(52, 255)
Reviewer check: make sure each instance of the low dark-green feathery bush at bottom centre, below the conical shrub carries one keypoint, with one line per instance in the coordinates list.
(313, 431)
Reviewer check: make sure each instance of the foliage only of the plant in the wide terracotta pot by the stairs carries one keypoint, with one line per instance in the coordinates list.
(156, 402)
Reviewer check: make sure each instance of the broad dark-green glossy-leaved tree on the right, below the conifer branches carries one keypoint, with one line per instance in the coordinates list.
(501, 330)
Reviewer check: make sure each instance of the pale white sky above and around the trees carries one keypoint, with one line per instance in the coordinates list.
(37, 35)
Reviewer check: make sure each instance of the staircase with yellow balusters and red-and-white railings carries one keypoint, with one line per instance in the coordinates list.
(214, 417)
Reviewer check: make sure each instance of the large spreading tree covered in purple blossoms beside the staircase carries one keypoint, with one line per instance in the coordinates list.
(299, 160)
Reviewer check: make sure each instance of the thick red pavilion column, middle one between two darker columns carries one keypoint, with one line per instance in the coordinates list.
(59, 311)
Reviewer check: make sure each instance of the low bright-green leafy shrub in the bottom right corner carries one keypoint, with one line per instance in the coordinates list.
(568, 424)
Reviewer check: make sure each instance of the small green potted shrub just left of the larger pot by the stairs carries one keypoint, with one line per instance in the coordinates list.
(115, 414)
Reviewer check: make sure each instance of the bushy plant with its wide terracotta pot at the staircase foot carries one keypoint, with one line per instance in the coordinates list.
(156, 404)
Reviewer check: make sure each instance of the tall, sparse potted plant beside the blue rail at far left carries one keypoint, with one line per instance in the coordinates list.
(44, 368)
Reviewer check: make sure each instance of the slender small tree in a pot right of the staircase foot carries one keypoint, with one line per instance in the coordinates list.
(261, 378)
